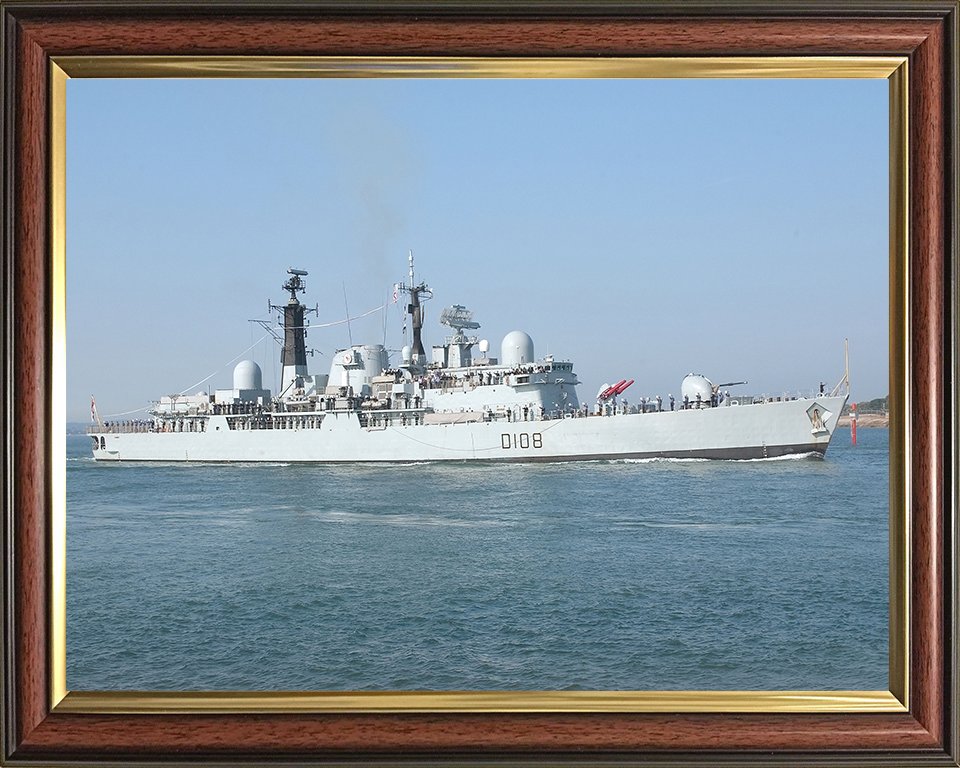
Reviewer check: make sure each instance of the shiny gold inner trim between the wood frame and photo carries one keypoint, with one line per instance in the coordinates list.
(894, 69)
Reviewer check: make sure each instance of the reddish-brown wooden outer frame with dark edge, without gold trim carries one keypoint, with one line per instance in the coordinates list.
(925, 32)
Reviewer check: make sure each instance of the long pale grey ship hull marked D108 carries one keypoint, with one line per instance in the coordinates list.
(756, 431)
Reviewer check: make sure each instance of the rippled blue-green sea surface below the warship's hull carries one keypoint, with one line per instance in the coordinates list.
(625, 575)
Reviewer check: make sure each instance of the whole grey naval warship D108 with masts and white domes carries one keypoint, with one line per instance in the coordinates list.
(455, 407)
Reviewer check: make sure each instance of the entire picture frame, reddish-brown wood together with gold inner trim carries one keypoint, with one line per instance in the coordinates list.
(909, 49)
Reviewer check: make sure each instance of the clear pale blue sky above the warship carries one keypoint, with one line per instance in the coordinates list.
(644, 229)
